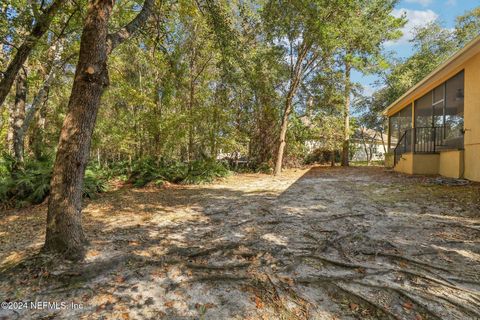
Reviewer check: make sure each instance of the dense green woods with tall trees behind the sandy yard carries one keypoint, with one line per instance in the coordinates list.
(95, 93)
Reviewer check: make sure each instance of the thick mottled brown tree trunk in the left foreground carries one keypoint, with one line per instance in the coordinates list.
(65, 233)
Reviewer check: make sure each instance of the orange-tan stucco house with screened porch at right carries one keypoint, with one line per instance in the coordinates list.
(434, 128)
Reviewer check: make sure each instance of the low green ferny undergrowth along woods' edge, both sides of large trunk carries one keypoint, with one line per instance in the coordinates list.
(31, 185)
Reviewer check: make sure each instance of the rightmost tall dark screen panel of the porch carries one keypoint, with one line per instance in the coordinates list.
(454, 111)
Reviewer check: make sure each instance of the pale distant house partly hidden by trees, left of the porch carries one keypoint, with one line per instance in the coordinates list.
(370, 145)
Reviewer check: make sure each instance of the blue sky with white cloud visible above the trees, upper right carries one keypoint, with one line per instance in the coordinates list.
(418, 13)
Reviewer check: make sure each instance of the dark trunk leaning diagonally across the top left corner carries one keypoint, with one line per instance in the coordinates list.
(41, 26)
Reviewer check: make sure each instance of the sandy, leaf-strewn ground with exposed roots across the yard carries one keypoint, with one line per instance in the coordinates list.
(323, 243)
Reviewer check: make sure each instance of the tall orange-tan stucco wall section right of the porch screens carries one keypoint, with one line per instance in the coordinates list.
(472, 119)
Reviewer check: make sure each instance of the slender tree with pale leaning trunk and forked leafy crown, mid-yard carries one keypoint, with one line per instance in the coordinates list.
(307, 35)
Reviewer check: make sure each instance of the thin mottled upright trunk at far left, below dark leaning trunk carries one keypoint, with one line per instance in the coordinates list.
(19, 118)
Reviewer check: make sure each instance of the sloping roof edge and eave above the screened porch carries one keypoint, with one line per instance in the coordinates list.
(471, 49)
